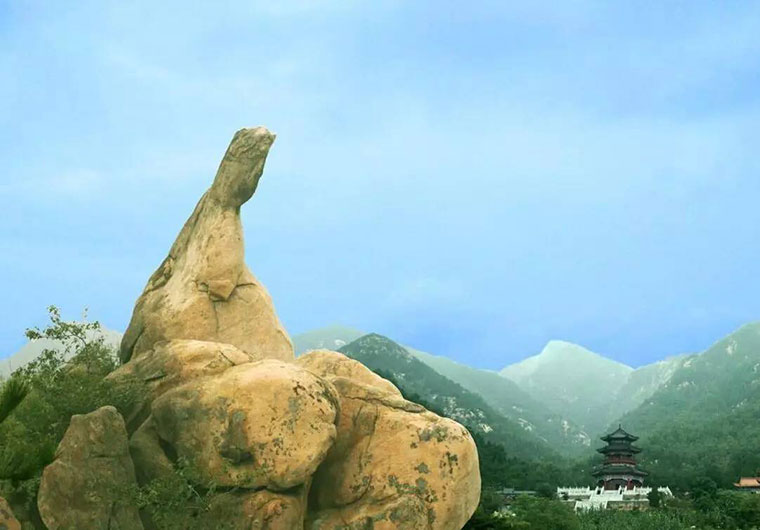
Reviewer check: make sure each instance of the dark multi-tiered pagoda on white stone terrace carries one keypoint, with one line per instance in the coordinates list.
(619, 468)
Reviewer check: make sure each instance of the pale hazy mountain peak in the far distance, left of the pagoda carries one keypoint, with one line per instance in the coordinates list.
(572, 381)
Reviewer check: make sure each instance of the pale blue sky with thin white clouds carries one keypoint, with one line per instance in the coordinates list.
(471, 179)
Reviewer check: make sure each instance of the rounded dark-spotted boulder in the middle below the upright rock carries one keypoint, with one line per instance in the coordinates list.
(264, 424)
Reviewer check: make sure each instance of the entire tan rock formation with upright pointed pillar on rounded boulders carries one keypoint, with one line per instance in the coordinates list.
(316, 443)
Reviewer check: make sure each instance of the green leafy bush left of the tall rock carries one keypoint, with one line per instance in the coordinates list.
(65, 380)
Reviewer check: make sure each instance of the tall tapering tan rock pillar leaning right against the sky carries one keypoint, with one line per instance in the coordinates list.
(203, 289)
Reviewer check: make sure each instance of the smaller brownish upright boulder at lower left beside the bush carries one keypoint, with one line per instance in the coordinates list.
(84, 486)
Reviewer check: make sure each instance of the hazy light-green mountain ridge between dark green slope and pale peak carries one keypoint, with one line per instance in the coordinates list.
(512, 402)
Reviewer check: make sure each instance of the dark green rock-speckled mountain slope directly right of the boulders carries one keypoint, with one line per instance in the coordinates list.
(415, 377)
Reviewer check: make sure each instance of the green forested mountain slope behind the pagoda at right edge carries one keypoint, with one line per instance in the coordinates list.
(704, 420)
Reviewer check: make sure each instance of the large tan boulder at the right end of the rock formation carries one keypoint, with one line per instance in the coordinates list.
(394, 464)
